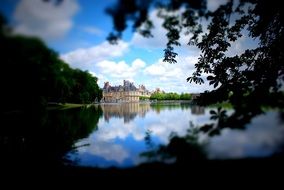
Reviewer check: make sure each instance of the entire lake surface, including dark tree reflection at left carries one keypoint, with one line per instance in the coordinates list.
(114, 135)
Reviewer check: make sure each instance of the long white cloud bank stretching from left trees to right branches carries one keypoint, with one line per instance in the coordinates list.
(169, 77)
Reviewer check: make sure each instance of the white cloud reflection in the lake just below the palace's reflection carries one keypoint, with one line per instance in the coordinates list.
(162, 124)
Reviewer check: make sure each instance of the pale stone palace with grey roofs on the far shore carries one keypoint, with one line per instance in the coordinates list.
(124, 93)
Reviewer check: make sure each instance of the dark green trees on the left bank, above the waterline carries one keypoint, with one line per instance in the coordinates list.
(33, 75)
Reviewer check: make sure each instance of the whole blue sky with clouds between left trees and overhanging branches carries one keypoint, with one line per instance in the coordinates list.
(77, 30)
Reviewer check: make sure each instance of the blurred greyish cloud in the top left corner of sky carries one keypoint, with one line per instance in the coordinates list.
(46, 20)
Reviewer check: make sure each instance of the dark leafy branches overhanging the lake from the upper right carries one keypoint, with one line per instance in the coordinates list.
(250, 80)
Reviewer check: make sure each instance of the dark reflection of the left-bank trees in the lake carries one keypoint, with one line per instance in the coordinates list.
(44, 137)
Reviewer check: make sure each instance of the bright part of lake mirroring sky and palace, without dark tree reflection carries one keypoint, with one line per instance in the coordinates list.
(118, 137)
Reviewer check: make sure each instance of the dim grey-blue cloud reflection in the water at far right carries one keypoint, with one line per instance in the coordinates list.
(261, 138)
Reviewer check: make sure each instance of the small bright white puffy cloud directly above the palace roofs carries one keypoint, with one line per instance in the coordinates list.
(121, 70)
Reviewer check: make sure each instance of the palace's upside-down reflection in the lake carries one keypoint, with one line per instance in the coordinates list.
(127, 111)
